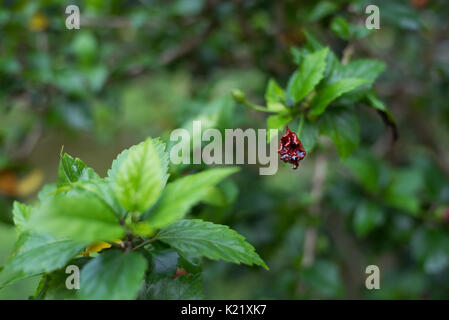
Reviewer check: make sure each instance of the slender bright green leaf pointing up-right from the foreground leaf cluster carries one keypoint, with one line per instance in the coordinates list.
(181, 195)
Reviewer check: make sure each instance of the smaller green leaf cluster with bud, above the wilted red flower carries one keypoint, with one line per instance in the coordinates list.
(319, 83)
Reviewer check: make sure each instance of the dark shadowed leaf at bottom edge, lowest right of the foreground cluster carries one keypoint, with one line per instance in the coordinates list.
(180, 288)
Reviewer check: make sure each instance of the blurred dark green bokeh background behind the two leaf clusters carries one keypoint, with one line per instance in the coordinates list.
(143, 68)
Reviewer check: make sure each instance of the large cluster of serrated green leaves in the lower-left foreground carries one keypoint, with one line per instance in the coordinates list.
(87, 215)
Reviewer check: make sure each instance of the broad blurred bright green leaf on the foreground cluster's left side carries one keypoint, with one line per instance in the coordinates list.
(77, 216)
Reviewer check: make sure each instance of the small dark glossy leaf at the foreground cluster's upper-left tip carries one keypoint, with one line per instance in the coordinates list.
(72, 170)
